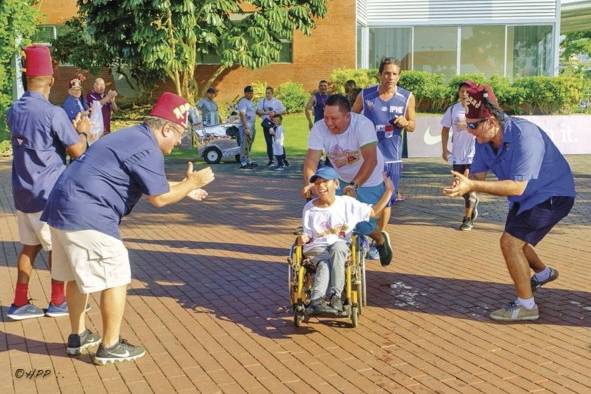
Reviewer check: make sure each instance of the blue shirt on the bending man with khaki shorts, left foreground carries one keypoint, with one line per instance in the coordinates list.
(104, 184)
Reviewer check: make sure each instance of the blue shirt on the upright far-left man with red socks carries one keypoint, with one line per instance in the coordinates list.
(40, 133)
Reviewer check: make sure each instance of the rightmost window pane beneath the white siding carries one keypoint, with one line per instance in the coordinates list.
(529, 51)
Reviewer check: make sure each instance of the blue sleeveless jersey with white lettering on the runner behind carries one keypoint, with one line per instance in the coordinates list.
(380, 112)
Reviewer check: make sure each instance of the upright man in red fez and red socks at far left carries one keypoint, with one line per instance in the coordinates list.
(41, 136)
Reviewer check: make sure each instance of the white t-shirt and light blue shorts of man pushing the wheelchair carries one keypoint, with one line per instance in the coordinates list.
(344, 150)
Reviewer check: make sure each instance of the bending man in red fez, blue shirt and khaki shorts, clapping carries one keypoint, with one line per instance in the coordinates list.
(85, 209)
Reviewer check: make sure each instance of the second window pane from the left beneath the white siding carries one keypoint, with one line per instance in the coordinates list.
(435, 49)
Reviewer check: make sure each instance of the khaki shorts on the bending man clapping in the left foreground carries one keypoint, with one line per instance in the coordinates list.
(96, 261)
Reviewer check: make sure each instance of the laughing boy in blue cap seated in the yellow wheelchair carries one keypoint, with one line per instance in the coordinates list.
(328, 223)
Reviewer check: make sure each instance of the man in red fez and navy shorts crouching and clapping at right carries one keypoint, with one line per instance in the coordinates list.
(537, 181)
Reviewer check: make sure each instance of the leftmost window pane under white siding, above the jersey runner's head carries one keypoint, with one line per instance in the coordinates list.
(390, 42)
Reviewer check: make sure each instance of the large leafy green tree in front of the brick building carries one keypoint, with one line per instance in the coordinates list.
(158, 39)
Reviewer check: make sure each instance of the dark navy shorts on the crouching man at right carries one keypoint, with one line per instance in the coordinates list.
(533, 225)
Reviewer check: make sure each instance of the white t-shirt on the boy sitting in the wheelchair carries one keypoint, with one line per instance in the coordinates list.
(325, 226)
